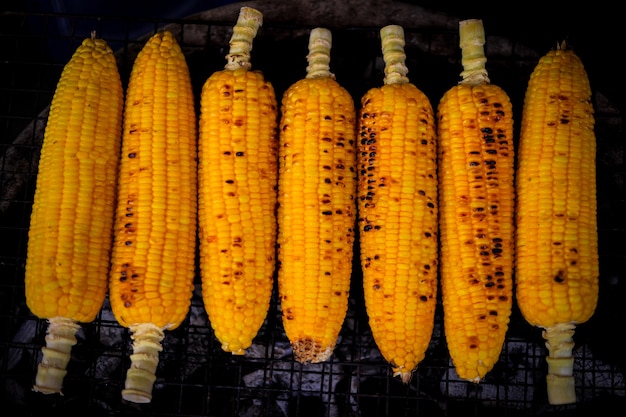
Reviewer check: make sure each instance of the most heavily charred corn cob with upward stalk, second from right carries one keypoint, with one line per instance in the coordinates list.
(476, 190)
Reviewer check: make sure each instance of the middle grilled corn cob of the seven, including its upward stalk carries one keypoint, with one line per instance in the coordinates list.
(317, 208)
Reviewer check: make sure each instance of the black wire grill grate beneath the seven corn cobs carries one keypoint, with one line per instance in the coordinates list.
(195, 378)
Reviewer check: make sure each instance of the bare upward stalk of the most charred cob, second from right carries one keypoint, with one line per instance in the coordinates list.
(472, 41)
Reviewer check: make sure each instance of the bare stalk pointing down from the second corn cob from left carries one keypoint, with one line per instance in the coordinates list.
(141, 375)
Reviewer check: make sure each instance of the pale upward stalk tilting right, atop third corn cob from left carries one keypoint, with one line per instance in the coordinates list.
(244, 32)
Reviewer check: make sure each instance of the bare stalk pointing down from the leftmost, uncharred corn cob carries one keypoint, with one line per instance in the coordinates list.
(60, 338)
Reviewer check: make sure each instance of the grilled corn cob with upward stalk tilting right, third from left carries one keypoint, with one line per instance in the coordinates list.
(237, 195)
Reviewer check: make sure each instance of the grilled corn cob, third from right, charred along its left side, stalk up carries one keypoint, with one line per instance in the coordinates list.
(398, 227)
